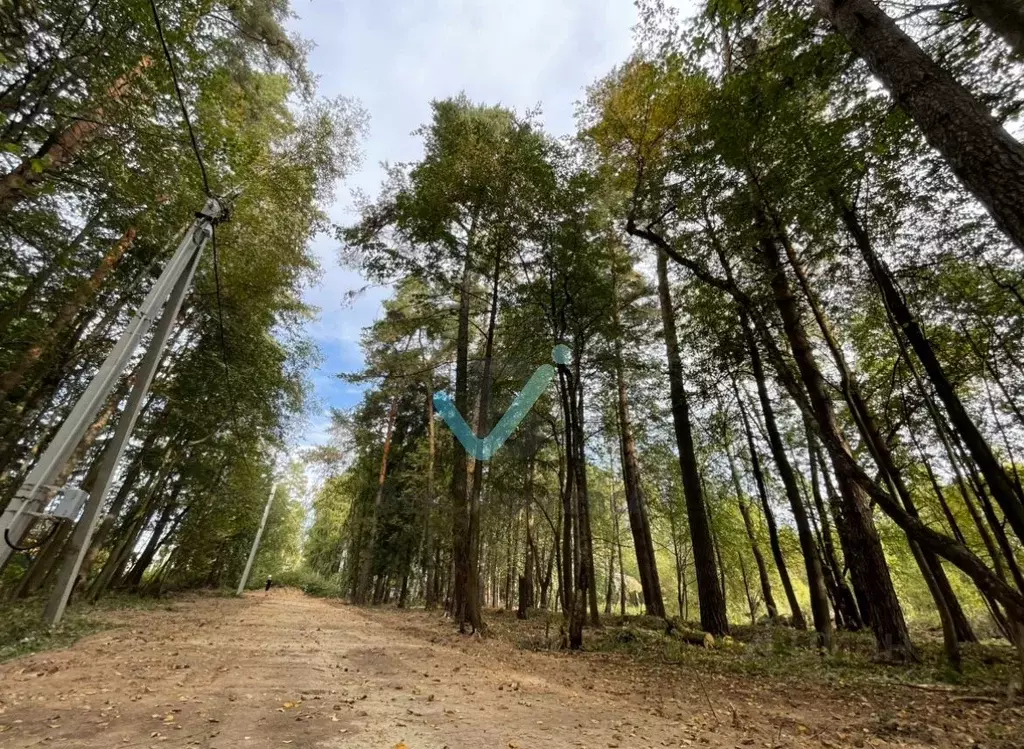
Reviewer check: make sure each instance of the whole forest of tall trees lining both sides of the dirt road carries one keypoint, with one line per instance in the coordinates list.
(785, 247)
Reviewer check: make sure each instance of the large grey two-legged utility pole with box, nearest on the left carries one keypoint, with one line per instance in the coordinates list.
(167, 295)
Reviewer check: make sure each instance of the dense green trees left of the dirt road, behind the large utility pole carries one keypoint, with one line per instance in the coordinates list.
(100, 177)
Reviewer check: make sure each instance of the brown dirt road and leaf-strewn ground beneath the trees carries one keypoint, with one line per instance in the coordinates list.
(285, 670)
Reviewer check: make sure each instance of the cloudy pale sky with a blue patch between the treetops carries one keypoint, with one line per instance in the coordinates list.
(396, 58)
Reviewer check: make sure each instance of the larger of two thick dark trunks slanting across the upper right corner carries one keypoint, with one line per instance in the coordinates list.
(980, 152)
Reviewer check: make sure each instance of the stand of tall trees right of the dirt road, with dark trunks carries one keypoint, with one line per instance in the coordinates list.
(785, 249)
